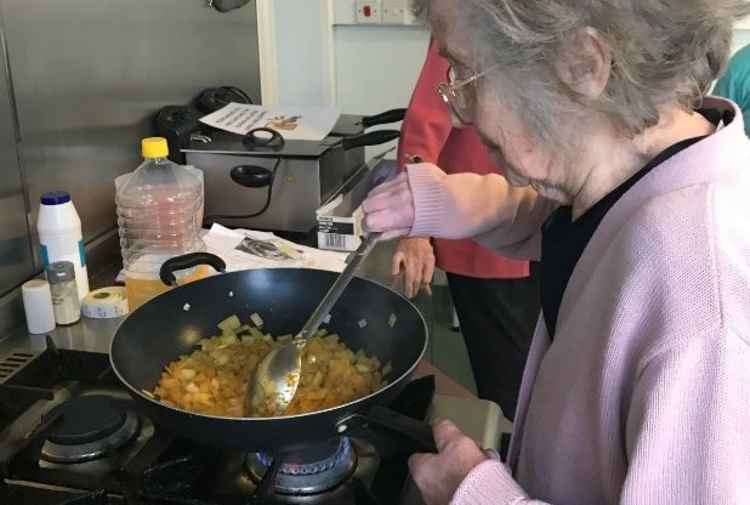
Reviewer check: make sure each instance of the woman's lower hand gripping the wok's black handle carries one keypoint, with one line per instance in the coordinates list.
(438, 476)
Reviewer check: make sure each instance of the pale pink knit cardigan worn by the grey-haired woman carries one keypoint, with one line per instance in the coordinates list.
(643, 398)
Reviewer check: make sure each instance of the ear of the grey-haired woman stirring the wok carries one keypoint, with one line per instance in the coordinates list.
(584, 63)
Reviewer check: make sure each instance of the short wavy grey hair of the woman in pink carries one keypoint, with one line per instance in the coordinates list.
(663, 52)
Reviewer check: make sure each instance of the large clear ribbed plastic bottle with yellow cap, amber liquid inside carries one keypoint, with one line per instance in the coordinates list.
(159, 214)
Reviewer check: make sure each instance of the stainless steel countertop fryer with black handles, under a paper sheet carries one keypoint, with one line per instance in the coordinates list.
(280, 186)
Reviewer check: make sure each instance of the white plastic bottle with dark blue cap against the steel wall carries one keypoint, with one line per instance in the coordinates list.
(60, 237)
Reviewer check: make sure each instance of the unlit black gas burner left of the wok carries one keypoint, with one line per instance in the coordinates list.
(90, 427)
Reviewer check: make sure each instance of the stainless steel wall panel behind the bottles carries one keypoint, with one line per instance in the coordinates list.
(80, 82)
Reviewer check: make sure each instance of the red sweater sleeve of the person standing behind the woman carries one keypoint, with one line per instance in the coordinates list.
(427, 123)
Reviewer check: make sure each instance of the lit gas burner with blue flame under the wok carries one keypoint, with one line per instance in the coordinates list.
(308, 471)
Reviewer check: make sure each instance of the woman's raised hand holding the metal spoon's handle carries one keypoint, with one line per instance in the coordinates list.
(389, 208)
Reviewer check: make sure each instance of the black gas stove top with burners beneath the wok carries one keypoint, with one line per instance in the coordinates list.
(70, 434)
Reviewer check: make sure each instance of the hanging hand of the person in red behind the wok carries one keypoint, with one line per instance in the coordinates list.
(415, 258)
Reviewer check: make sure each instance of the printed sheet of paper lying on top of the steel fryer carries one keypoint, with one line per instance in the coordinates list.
(293, 123)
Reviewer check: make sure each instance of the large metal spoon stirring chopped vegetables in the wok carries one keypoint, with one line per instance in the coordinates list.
(275, 382)
